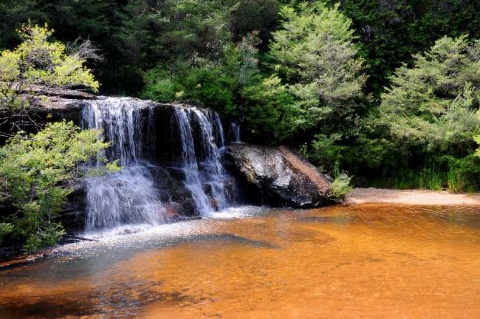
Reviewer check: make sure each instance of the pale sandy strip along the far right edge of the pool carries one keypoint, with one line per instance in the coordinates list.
(409, 197)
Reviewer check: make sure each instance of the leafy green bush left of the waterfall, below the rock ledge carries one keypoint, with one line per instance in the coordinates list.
(37, 173)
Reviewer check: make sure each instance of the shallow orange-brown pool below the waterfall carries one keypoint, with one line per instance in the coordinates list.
(339, 262)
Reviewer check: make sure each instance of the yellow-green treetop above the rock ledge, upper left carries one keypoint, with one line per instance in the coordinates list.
(35, 64)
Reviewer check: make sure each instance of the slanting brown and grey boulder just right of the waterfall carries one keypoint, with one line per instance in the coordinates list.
(279, 176)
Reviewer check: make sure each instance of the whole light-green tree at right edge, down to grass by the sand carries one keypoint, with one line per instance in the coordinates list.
(431, 112)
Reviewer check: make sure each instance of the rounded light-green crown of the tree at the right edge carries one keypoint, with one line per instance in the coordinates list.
(433, 103)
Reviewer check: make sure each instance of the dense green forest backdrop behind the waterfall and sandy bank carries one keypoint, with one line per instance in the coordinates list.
(386, 90)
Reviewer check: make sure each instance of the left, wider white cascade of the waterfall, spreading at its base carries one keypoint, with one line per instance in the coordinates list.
(128, 196)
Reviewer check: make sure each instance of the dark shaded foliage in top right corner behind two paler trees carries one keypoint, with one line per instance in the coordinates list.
(391, 31)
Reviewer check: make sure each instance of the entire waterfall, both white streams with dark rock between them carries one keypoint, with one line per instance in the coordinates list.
(148, 188)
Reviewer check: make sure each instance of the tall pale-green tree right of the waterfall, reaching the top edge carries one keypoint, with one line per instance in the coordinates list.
(318, 60)
